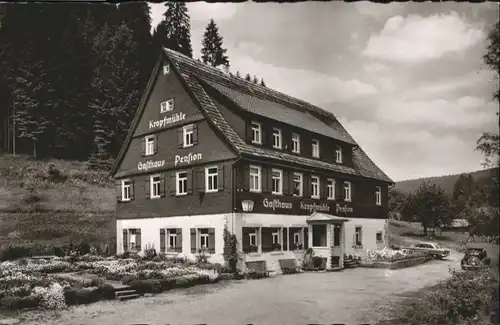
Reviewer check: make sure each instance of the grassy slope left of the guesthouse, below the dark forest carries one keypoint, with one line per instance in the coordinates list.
(54, 202)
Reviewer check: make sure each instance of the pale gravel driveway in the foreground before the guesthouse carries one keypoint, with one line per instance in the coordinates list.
(339, 297)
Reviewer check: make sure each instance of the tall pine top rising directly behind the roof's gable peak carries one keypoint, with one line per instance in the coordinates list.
(174, 31)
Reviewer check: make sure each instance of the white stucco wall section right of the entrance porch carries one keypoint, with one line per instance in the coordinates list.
(369, 229)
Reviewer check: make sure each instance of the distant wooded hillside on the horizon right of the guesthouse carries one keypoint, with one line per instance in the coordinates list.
(446, 182)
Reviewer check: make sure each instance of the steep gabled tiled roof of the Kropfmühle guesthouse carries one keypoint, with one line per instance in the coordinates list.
(197, 76)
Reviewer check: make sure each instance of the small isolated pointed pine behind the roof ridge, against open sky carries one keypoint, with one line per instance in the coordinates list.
(212, 52)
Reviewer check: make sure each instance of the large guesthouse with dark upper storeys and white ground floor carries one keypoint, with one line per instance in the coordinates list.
(207, 150)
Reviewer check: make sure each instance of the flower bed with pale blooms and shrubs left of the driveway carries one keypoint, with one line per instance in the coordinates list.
(32, 283)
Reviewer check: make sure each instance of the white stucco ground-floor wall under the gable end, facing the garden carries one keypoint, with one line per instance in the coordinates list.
(150, 232)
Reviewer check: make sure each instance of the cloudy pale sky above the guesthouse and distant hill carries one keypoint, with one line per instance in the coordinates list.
(406, 80)
